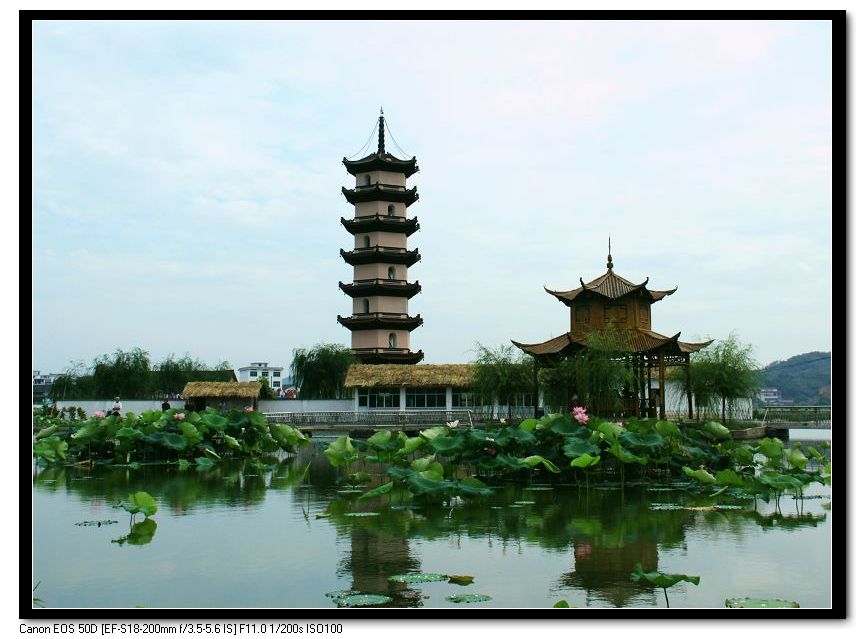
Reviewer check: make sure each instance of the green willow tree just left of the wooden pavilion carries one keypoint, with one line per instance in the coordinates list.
(500, 373)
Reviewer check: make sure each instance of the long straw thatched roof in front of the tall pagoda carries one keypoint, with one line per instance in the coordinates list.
(418, 375)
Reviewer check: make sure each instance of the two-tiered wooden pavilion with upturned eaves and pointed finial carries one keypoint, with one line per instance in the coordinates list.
(611, 300)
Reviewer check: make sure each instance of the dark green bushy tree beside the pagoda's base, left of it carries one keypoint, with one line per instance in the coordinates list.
(319, 372)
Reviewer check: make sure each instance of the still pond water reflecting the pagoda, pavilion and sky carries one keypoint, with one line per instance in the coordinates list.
(237, 537)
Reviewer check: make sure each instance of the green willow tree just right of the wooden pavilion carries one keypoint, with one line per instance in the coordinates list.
(722, 372)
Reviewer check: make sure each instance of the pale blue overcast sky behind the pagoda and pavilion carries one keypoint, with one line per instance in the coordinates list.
(187, 180)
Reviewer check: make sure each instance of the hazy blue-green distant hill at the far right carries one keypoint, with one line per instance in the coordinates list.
(804, 378)
